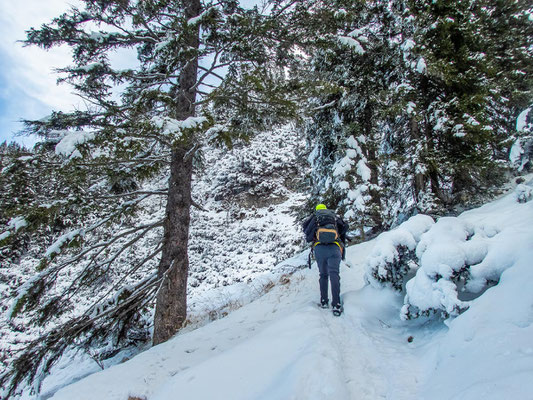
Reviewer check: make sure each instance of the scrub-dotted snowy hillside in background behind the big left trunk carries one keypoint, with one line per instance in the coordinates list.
(249, 195)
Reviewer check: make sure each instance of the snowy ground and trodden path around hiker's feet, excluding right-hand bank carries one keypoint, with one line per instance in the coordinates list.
(281, 346)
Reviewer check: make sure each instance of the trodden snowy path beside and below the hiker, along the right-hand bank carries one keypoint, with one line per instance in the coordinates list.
(370, 342)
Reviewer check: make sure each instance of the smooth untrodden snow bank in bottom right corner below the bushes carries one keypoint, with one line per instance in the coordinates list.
(487, 353)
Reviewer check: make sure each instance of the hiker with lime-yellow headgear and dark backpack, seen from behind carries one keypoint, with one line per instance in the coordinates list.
(327, 231)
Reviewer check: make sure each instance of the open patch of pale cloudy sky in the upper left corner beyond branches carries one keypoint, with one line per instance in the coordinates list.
(28, 88)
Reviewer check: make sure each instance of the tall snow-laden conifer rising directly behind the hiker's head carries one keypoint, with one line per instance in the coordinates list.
(351, 124)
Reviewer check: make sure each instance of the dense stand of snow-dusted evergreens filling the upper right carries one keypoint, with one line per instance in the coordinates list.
(429, 107)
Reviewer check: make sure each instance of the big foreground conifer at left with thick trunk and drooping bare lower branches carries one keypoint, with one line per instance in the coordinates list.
(205, 72)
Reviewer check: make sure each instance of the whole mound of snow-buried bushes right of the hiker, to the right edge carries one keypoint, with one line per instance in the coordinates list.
(455, 259)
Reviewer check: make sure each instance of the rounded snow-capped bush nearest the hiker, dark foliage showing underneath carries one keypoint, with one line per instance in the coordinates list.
(440, 253)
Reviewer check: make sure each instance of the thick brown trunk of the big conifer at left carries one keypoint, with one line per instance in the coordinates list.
(171, 302)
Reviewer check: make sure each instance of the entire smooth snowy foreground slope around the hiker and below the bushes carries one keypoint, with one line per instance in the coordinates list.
(282, 346)
